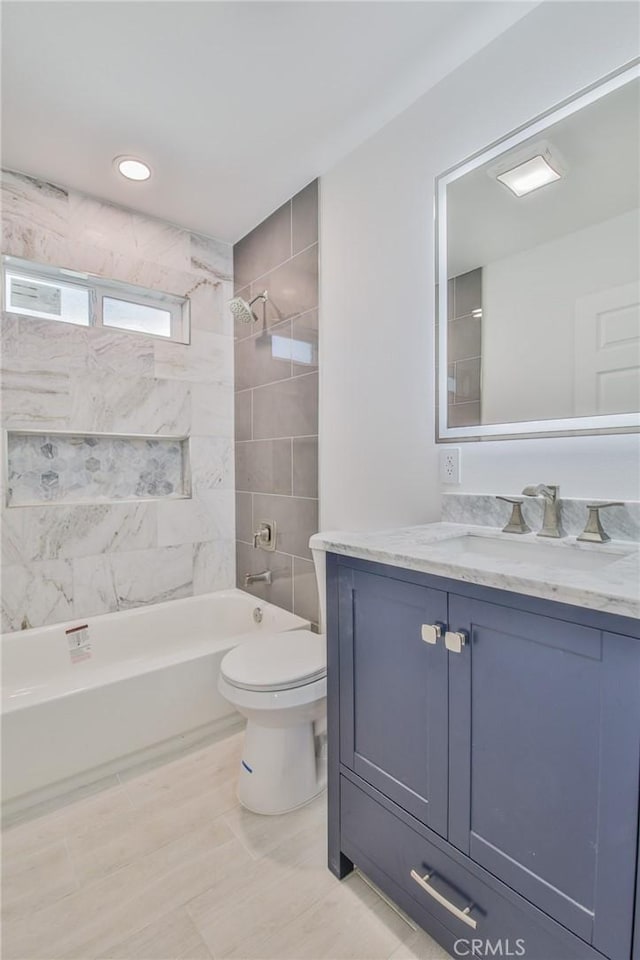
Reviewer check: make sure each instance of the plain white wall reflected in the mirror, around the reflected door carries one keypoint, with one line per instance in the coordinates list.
(528, 327)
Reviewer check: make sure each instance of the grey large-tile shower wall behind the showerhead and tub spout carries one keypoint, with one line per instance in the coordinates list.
(276, 380)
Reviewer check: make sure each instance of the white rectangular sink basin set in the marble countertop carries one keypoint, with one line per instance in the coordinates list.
(559, 555)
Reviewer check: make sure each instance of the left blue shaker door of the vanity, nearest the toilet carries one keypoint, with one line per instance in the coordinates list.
(393, 691)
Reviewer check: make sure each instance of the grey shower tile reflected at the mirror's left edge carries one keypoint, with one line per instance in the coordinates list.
(464, 349)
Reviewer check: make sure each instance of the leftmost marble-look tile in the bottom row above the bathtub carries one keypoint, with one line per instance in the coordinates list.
(36, 593)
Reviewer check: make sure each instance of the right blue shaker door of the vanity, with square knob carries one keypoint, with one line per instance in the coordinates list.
(544, 747)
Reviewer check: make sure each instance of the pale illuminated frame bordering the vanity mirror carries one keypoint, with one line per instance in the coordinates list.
(568, 426)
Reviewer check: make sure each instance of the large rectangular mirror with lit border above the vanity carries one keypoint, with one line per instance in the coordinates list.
(538, 275)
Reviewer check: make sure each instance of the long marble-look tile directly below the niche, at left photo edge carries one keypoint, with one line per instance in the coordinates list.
(67, 532)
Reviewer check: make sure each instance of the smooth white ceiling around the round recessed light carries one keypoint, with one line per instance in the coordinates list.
(236, 105)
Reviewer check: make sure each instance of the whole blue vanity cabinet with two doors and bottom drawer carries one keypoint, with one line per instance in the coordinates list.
(504, 774)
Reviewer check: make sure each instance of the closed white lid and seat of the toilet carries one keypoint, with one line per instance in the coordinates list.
(278, 661)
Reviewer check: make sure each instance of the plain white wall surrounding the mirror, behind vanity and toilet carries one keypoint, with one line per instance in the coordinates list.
(378, 458)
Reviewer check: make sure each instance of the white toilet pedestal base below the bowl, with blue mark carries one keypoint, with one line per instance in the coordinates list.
(279, 771)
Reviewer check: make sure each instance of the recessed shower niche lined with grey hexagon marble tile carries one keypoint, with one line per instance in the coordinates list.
(90, 468)
